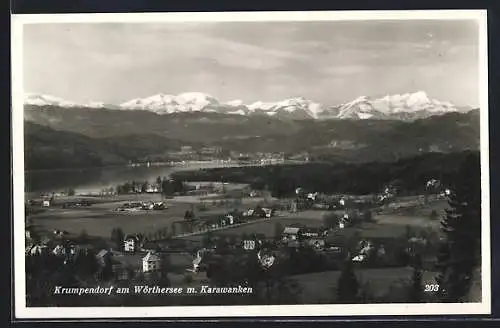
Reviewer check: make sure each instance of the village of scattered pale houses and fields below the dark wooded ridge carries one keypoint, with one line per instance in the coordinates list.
(185, 238)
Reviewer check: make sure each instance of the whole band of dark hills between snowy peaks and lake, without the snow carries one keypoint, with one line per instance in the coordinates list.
(101, 136)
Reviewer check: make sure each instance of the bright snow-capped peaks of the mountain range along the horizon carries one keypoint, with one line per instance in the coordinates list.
(408, 106)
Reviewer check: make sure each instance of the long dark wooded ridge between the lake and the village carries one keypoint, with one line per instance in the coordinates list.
(409, 175)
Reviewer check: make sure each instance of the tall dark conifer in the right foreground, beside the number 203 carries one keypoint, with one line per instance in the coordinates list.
(460, 253)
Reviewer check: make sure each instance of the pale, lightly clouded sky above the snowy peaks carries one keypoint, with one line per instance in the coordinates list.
(328, 62)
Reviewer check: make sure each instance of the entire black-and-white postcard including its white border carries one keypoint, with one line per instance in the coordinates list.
(250, 164)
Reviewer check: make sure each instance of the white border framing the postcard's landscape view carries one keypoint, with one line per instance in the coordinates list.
(23, 312)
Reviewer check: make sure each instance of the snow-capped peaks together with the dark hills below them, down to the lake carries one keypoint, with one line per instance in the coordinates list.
(60, 133)
